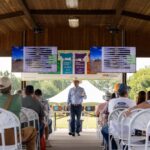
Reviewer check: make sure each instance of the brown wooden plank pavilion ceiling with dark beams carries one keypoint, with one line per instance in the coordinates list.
(19, 15)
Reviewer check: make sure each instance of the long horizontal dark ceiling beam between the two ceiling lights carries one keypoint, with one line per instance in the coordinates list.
(72, 12)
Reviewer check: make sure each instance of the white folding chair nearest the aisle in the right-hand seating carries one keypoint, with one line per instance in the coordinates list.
(112, 119)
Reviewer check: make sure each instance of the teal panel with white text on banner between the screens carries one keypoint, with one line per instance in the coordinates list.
(67, 64)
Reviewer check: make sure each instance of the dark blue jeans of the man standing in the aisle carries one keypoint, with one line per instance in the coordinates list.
(75, 112)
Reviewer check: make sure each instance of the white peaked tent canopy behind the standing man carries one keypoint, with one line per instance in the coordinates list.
(93, 94)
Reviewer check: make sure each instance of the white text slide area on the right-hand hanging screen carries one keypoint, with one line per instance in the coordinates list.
(119, 59)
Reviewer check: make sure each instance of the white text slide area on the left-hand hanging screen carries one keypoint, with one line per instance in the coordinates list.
(40, 59)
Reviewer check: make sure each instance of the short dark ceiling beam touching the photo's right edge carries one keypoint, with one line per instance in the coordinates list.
(136, 15)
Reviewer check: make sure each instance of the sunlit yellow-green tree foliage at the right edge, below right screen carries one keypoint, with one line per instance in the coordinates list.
(139, 81)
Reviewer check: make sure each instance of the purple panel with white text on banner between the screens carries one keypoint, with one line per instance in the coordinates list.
(80, 63)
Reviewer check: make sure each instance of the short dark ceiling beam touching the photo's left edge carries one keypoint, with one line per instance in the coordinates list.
(11, 15)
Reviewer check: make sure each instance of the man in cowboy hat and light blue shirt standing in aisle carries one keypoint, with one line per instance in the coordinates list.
(75, 99)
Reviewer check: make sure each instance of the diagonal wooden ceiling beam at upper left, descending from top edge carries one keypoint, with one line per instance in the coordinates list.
(30, 20)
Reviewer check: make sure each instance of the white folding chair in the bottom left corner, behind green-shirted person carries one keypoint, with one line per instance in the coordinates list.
(9, 120)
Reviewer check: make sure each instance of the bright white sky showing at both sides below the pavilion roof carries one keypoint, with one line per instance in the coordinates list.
(5, 64)
